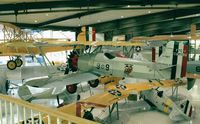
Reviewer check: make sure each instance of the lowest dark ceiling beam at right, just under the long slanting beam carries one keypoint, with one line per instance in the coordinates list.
(150, 29)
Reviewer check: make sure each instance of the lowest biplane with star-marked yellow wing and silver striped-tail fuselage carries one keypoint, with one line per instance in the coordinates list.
(115, 93)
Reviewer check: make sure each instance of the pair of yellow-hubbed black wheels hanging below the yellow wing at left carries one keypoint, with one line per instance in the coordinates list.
(13, 64)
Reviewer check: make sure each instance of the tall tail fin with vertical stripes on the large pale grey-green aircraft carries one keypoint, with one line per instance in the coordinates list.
(175, 54)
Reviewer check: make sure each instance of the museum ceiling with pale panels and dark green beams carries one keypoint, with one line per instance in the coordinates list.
(136, 17)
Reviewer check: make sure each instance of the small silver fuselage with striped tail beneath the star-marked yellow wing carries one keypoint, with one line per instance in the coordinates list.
(177, 112)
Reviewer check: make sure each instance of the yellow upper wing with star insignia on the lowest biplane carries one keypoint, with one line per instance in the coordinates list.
(116, 93)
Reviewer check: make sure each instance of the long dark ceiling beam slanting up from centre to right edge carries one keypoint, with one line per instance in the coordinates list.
(145, 19)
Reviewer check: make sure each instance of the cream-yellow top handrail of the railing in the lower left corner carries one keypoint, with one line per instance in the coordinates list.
(46, 110)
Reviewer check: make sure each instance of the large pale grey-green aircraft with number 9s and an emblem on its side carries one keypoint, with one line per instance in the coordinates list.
(170, 65)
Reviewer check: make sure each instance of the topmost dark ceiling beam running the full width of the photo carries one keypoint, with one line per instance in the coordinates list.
(86, 3)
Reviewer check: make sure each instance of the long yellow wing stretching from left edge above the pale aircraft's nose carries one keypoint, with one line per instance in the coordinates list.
(16, 48)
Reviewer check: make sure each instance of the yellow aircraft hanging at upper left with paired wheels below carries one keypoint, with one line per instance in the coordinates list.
(18, 45)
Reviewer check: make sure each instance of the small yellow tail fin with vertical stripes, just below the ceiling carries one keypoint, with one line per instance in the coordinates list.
(87, 34)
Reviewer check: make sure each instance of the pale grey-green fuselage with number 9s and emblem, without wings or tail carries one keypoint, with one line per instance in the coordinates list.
(106, 64)
